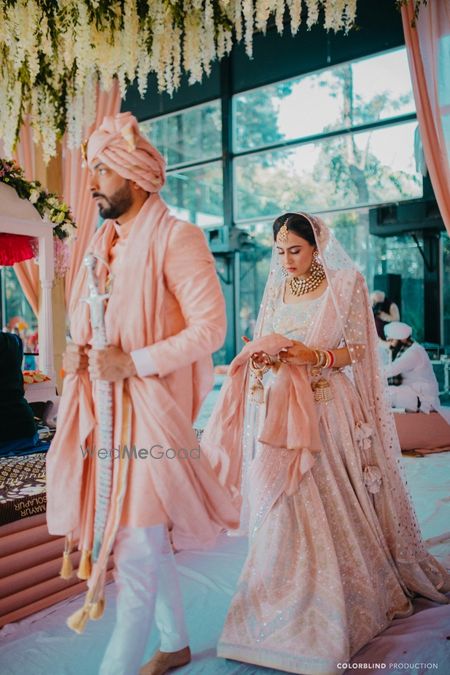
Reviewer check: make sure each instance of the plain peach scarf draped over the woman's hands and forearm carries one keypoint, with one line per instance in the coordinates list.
(290, 423)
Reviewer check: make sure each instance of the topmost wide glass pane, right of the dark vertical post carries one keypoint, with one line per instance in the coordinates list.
(360, 92)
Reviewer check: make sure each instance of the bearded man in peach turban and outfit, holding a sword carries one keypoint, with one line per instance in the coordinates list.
(164, 319)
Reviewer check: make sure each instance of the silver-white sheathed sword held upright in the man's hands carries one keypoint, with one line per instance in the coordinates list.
(103, 393)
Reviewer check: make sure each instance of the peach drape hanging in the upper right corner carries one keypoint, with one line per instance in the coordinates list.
(428, 47)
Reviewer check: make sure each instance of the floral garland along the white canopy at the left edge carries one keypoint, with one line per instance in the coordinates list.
(47, 204)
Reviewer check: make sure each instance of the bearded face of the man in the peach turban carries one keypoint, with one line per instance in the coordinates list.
(111, 191)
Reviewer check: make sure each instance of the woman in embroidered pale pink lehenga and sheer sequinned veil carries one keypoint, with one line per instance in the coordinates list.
(303, 436)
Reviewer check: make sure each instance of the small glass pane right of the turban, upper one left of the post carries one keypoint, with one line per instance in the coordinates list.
(192, 135)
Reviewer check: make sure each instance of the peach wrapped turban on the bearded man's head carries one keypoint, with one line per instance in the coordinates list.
(119, 144)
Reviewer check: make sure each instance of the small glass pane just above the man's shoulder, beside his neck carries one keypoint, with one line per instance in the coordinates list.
(196, 194)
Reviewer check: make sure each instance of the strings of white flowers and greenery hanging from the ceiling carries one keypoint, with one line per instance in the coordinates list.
(53, 53)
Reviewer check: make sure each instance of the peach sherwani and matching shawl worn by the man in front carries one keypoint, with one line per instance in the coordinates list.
(166, 299)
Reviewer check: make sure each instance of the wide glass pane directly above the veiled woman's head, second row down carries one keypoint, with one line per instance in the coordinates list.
(370, 167)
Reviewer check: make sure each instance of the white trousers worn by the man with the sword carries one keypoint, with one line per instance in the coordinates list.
(147, 588)
